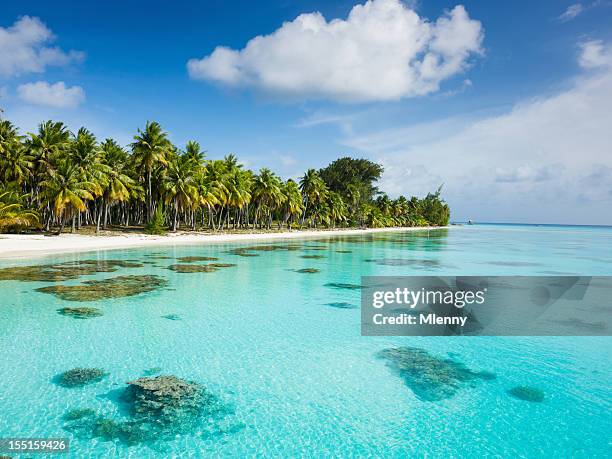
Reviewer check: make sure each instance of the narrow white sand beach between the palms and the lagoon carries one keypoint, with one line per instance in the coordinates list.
(26, 246)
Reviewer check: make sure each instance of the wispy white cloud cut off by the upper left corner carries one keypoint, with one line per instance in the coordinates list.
(24, 48)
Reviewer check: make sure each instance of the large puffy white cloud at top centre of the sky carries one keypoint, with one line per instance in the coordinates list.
(382, 51)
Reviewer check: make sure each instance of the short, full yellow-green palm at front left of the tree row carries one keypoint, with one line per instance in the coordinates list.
(65, 189)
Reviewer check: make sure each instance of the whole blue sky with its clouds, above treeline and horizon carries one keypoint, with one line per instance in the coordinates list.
(511, 118)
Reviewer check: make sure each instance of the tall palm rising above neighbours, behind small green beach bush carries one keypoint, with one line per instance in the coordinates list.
(151, 148)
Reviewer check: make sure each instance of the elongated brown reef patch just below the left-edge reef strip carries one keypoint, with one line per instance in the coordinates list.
(115, 287)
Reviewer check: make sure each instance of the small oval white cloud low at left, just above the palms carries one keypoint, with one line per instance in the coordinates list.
(51, 95)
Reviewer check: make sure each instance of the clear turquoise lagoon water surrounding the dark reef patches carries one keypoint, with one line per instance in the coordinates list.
(294, 373)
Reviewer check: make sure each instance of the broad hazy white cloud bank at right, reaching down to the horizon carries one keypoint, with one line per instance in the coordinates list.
(547, 159)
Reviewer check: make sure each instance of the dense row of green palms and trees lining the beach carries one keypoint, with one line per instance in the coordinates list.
(54, 178)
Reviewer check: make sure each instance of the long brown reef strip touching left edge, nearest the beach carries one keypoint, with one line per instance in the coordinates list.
(64, 271)
